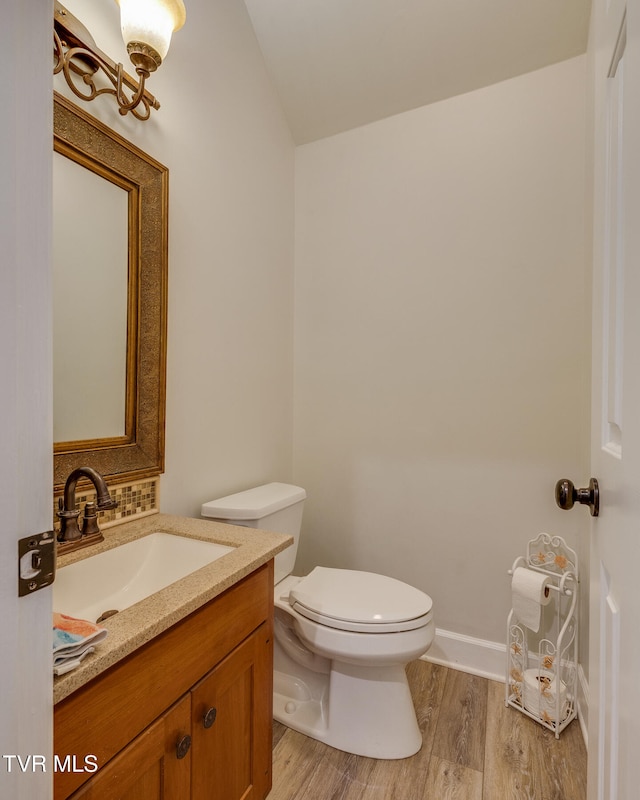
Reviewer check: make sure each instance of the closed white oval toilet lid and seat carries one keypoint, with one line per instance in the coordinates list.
(360, 601)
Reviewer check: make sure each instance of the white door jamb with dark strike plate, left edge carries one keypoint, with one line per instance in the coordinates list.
(25, 390)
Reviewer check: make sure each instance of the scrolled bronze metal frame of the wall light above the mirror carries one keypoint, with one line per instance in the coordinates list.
(78, 58)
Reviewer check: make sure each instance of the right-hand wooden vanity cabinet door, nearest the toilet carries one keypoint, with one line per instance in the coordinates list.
(231, 724)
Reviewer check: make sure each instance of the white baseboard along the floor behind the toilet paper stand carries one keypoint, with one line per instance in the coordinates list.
(488, 660)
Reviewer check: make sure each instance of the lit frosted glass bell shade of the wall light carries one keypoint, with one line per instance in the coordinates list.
(151, 22)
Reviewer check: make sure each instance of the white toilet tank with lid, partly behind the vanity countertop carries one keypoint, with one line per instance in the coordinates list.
(272, 507)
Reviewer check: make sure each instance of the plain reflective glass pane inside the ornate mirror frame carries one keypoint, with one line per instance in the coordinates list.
(90, 285)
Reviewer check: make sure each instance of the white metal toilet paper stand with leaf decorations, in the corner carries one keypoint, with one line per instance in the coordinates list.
(542, 672)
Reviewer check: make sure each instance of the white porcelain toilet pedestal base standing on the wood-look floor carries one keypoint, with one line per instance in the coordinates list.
(367, 711)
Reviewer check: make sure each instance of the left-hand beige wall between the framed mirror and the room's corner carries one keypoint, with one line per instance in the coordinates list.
(221, 132)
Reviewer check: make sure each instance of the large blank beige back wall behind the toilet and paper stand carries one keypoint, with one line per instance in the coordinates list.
(442, 340)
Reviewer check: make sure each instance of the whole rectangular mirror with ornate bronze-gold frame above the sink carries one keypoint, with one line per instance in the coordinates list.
(134, 338)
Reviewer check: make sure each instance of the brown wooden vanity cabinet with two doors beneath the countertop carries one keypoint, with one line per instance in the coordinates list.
(208, 679)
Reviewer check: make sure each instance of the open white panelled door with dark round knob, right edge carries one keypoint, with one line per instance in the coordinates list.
(614, 662)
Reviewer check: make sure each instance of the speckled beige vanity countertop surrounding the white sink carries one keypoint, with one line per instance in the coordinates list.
(134, 626)
